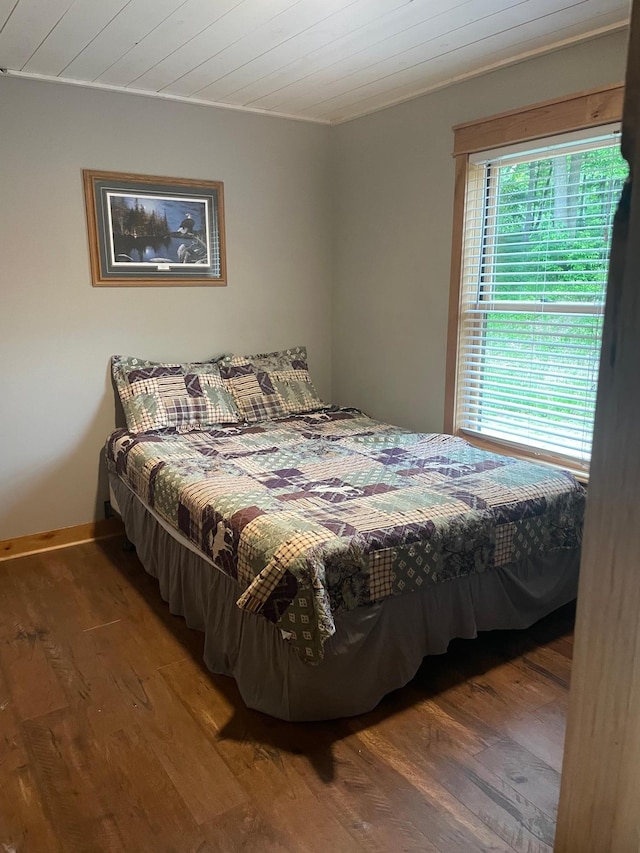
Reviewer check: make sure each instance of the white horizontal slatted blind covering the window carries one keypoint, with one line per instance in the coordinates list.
(535, 257)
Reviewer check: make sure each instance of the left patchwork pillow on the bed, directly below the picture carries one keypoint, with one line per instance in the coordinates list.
(185, 396)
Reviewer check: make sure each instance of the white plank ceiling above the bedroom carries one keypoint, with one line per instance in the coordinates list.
(320, 60)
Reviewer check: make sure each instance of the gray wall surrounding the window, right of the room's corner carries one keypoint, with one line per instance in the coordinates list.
(392, 229)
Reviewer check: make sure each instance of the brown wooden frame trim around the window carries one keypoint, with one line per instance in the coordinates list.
(581, 111)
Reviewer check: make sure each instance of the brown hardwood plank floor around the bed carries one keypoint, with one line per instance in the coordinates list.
(113, 736)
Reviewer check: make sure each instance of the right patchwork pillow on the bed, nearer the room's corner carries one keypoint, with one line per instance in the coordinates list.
(270, 385)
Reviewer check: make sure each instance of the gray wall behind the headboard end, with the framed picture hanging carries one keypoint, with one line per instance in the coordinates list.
(57, 332)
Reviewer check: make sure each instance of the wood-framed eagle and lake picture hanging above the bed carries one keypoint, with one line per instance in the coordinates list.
(149, 231)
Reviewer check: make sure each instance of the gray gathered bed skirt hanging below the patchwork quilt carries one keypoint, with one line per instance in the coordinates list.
(375, 649)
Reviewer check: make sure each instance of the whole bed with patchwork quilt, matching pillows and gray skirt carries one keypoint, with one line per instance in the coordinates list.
(324, 554)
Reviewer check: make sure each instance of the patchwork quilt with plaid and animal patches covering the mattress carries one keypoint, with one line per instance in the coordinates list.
(330, 511)
